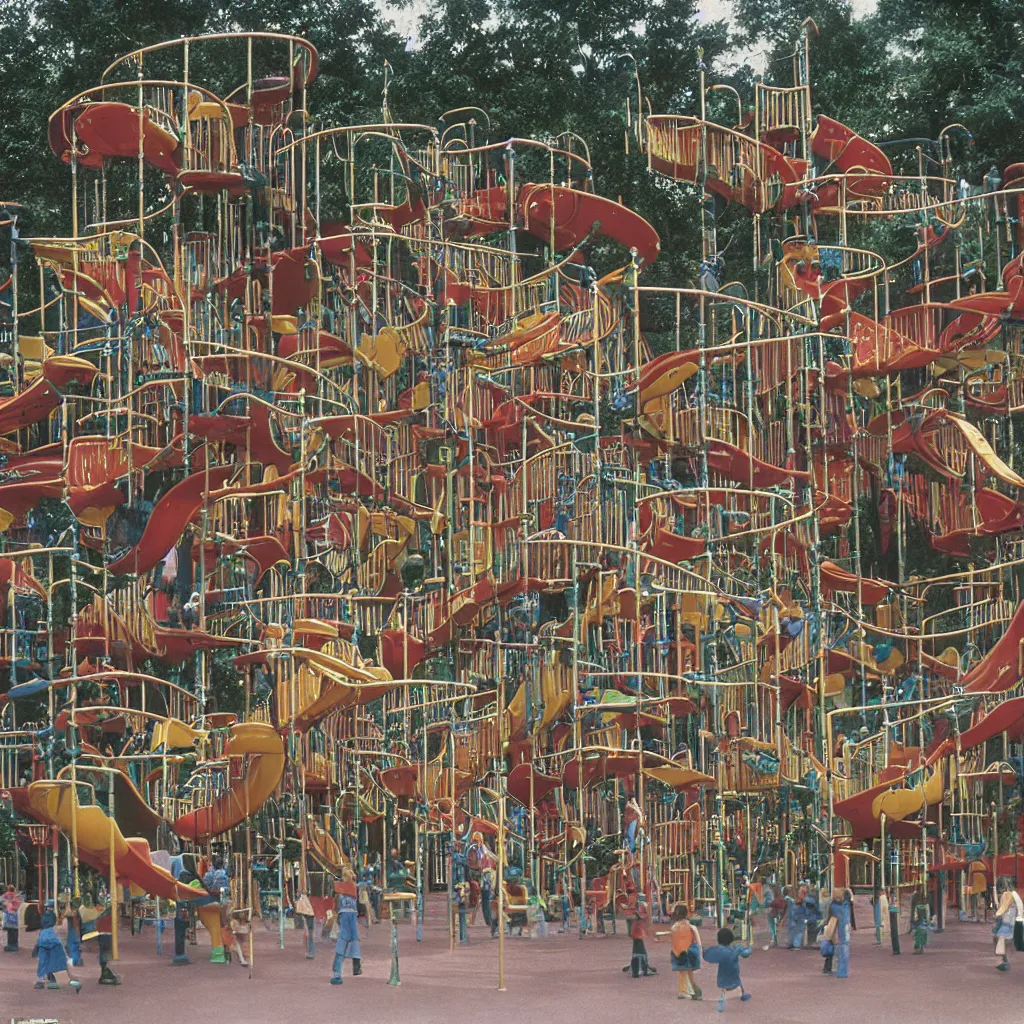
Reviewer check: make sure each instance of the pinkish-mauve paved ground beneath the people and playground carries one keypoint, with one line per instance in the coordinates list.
(562, 978)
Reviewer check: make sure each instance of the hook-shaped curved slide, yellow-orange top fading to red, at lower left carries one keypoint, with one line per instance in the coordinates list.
(246, 794)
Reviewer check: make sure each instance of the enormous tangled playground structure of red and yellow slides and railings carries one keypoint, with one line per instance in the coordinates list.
(508, 561)
